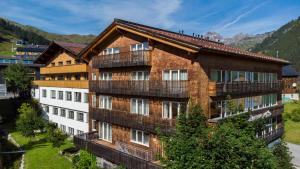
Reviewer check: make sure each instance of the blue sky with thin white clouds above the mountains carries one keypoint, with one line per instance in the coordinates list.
(227, 17)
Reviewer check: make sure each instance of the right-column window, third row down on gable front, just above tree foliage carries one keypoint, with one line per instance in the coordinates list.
(172, 109)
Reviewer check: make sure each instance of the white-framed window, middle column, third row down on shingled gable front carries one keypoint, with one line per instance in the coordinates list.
(145, 102)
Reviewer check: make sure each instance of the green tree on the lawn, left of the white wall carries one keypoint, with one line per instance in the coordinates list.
(29, 120)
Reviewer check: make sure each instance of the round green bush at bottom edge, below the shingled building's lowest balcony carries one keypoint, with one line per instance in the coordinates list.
(84, 160)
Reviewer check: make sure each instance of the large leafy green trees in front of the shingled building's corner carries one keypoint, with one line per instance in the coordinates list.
(230, 144)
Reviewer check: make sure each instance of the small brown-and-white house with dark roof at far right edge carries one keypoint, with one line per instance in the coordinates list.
(290, 88)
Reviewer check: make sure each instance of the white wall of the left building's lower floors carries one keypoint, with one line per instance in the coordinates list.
(64, 104)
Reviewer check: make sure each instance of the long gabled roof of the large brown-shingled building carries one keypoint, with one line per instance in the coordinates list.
(190, 43)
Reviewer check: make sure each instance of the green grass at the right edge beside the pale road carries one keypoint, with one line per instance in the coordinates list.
(292, 129)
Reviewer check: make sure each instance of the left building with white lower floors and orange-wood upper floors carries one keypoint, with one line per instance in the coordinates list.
(63, 88)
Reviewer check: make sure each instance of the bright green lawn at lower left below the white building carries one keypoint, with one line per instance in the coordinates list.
(41, 155)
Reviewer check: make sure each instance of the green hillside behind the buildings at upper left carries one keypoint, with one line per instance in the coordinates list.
(11, 31)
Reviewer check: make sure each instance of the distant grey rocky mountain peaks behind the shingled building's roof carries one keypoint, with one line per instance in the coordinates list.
(241, 40)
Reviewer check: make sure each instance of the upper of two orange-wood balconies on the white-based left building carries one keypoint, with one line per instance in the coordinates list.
(65, 69)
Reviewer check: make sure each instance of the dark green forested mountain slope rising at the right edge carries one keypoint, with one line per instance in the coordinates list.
(285, 42)
